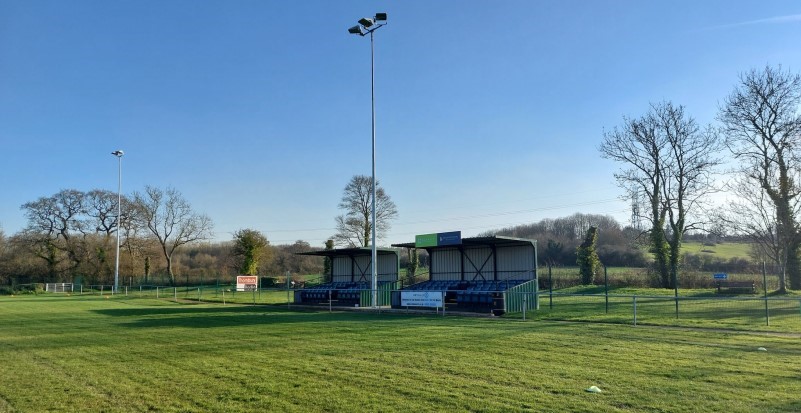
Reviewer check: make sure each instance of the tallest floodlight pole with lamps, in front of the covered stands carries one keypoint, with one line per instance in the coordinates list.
(369, 25)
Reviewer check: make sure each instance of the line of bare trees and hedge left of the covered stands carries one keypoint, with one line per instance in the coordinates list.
(71, 236)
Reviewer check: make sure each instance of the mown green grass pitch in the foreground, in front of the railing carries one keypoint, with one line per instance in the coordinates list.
(115, 354)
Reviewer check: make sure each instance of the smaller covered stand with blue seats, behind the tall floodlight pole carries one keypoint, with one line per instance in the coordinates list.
(350, 281)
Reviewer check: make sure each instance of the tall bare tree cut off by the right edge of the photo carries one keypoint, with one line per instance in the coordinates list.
(762, 127)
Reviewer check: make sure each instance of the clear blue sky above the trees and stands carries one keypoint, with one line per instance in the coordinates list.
(489, 114)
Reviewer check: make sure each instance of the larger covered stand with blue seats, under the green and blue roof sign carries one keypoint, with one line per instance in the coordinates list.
(494, 273)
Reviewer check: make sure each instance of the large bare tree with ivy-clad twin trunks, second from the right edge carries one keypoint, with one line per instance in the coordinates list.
(670, 159)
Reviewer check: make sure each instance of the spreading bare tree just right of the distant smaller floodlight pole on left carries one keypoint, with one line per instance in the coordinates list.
(171, 220)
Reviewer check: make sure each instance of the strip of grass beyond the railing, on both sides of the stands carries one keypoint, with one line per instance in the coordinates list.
(698, 307)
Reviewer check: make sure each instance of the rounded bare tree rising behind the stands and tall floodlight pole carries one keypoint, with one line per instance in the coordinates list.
(354, 227)
